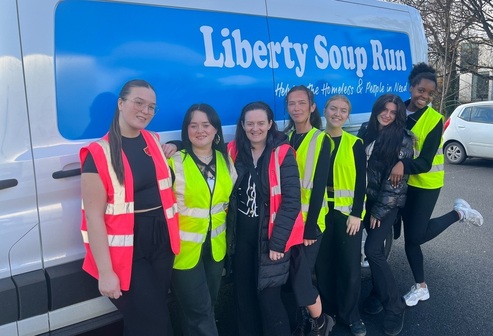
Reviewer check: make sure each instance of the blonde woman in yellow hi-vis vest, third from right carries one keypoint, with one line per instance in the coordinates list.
(338, 266)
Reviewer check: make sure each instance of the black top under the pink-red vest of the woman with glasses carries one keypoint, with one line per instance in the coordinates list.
(146, 192)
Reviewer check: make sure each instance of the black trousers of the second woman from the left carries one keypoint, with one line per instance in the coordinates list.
(196, 290)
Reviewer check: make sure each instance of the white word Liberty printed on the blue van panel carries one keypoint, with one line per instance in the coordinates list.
(239, 52)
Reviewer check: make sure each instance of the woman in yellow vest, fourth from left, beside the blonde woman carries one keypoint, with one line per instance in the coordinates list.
(312, 155)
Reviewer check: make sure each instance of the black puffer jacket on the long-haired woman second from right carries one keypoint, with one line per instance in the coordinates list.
(379, 189)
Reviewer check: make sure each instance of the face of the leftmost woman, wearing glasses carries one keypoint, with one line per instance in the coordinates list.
(133, 117)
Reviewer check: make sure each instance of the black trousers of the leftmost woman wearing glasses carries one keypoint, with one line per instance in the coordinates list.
(144, 307)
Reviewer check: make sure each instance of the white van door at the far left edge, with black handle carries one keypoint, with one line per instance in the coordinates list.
(23, 294)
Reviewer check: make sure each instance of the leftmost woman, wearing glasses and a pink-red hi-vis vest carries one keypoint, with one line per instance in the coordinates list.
(129, 219)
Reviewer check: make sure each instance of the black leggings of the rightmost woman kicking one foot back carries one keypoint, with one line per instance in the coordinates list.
(419, 228)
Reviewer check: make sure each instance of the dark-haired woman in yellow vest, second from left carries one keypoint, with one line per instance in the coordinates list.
(204, 179)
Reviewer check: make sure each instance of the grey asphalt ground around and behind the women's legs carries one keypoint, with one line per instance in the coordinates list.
(458, 268)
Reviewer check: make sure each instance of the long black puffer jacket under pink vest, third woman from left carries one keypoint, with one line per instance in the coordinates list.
(270, 273)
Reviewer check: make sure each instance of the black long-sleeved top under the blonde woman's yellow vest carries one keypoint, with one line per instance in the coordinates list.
(360, 187)
